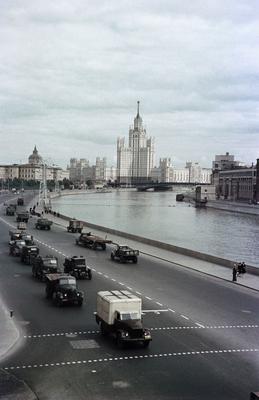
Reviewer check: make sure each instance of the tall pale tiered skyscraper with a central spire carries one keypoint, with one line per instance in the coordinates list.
(134, 163)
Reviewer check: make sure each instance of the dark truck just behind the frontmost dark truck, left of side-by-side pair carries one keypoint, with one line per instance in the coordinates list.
(41, 266)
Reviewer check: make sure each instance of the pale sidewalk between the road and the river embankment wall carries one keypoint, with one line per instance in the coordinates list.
(247, 280)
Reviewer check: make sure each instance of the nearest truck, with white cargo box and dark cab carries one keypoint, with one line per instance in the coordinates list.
(119, 314)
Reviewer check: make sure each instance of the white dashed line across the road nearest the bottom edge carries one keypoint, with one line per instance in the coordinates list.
(133, 357)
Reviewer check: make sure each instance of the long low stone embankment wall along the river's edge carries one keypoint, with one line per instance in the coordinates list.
(168, 247)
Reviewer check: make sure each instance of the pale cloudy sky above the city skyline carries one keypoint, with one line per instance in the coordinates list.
(71, 73)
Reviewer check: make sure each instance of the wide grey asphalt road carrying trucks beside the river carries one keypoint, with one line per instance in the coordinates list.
(205, 331)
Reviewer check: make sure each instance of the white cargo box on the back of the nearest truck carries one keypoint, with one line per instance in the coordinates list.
(110, 302)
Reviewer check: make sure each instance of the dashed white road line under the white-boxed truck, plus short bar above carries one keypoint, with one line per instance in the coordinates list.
(94, 332)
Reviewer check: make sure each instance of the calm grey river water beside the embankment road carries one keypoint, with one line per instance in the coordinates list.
(158, 216)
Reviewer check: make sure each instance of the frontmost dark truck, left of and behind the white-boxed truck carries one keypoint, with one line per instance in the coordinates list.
(61, 288)
